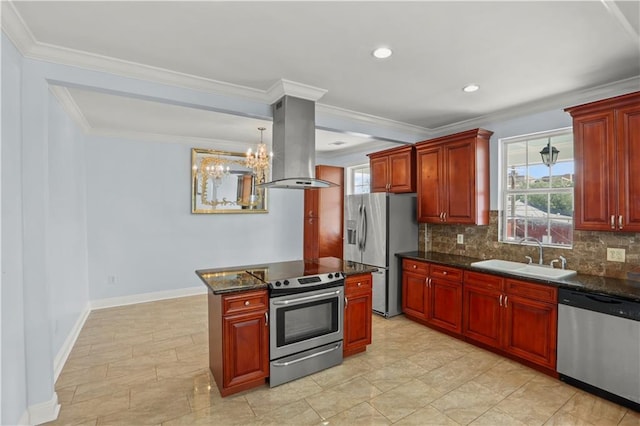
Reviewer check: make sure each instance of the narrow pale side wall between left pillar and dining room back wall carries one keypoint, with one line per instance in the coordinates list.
(67, 264)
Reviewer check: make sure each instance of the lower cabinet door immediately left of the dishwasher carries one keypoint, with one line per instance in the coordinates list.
(531, 330)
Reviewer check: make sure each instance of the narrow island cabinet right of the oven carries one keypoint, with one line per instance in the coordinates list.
(357, 313)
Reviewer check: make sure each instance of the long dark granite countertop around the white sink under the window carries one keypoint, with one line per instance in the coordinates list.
(627, 289)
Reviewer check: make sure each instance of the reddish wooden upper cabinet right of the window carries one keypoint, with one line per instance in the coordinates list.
(607, 159)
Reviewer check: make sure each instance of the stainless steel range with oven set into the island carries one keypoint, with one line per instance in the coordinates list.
(306, 317)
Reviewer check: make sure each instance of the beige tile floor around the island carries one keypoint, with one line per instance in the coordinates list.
(148, 364)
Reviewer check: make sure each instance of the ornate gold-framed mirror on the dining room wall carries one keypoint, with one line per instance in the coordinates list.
(221, 182)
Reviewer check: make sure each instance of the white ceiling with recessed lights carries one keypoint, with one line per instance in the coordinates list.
(523, 55)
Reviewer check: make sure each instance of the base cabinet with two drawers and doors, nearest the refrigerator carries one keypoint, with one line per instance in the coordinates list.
(432, 294)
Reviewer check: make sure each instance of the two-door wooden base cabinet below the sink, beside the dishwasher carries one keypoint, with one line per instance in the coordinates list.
(517, 317)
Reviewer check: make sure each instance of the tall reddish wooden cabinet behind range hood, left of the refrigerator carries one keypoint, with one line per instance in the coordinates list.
(323, 215)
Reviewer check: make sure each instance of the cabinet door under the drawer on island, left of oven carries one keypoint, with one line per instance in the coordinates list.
(246, 348)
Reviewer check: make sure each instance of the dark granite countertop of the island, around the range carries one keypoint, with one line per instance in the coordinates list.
(252, 277)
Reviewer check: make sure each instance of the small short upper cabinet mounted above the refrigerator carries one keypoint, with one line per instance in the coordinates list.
(393, 170)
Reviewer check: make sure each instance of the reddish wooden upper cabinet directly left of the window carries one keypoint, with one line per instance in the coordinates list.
(453, 178)
